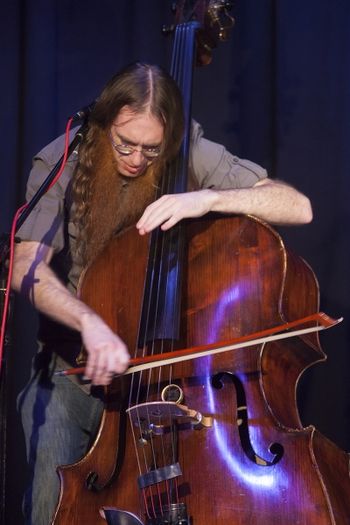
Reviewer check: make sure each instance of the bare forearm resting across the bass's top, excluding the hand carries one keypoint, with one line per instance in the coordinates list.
(272, 201)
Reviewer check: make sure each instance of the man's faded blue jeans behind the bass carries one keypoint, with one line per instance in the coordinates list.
(60, 421)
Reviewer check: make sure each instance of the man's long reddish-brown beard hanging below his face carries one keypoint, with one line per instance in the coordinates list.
(117, 201)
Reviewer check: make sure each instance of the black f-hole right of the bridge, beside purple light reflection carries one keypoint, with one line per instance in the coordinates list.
(276, 449)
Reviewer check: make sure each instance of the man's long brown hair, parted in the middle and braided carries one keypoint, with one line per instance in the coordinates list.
(141, 87)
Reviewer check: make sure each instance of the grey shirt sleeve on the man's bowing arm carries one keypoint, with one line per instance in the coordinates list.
(45, 223)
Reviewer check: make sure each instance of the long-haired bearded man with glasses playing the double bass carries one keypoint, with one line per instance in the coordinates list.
(135, 128)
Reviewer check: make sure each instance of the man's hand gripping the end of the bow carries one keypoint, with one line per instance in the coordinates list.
(107, 354)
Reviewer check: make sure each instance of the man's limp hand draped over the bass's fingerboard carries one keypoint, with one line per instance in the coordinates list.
(170, 209)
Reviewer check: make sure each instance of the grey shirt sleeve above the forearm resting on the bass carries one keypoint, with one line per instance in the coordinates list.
(212, 166)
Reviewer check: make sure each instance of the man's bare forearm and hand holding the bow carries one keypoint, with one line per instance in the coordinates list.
(107, 354)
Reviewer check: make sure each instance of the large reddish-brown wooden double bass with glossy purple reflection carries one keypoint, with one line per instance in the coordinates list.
(216, 439)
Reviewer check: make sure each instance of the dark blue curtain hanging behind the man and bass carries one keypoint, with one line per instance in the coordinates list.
(278, 93)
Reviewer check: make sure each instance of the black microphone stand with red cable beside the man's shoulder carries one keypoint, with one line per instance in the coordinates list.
(4, 252)
